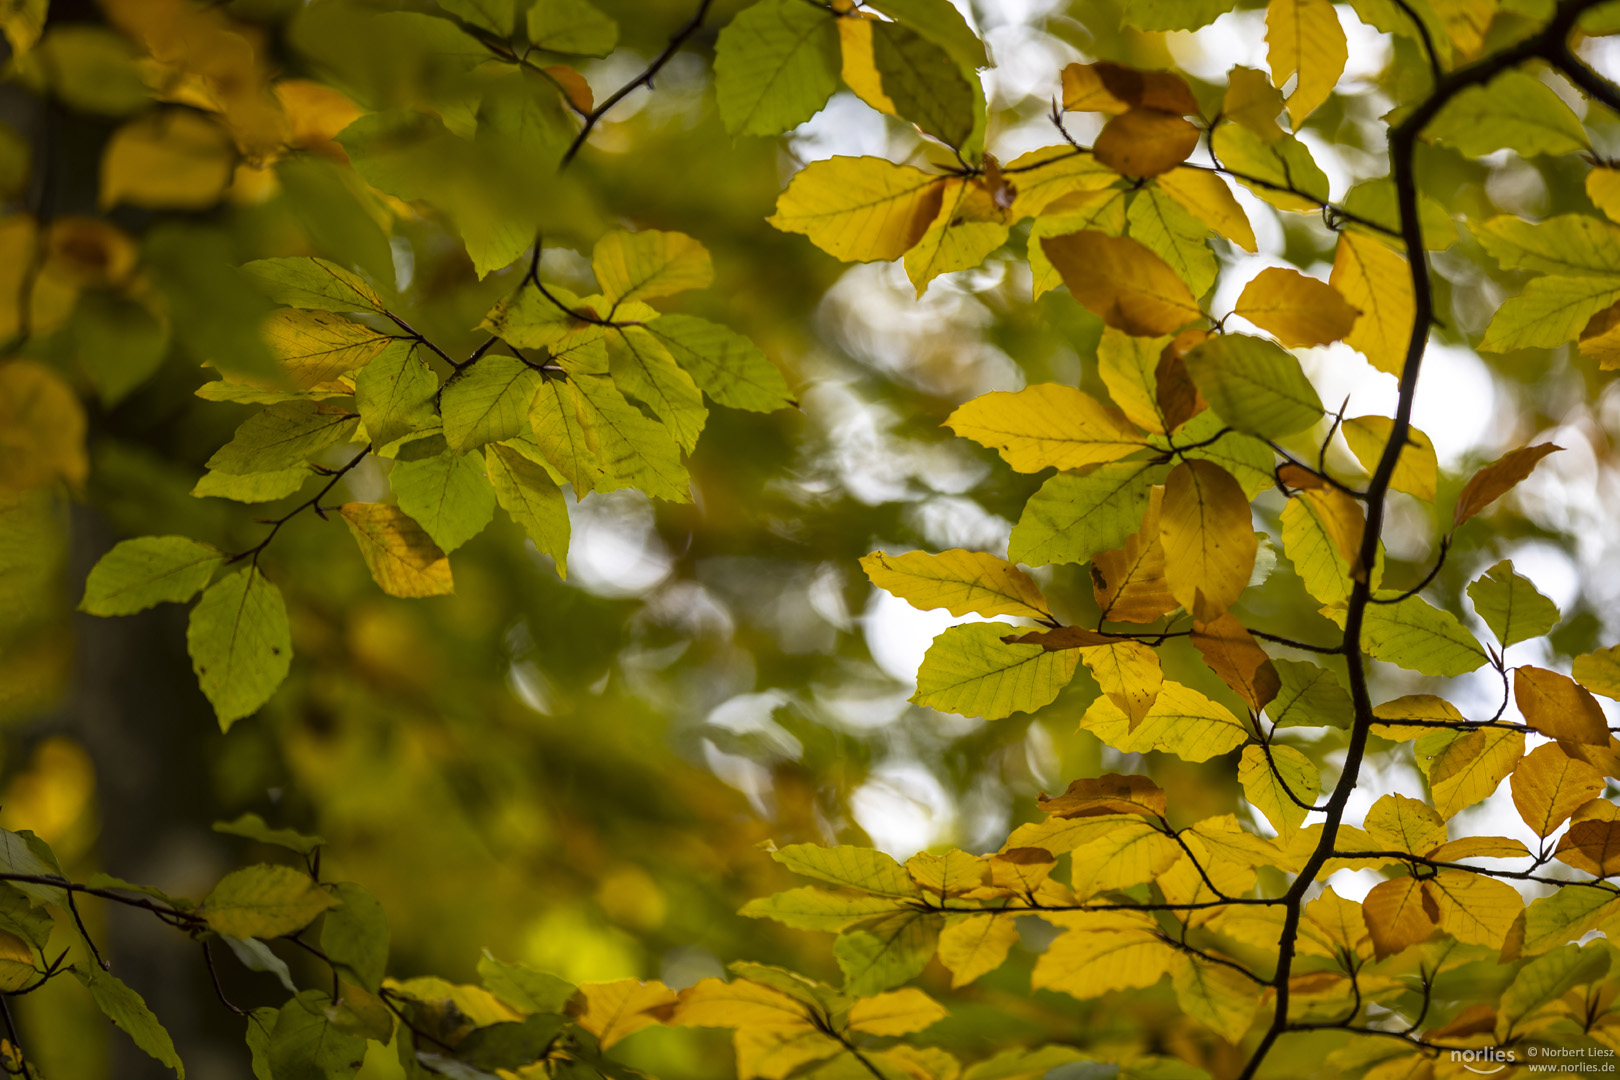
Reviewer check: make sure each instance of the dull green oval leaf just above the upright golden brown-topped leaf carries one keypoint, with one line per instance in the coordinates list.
(1255, 385)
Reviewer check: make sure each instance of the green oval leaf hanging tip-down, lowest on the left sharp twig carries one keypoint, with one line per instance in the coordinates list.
(241, 645)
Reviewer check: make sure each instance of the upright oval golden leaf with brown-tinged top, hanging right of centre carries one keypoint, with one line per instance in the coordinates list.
(1209, 538)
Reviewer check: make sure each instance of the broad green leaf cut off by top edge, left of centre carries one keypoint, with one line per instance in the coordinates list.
(775, 67)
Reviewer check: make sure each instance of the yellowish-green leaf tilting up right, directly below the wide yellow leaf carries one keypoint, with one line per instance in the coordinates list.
(1075, 516)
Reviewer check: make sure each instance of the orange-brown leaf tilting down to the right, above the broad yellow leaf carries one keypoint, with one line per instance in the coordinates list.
(1122, 283)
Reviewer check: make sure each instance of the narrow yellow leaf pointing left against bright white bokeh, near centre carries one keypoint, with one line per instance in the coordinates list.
(961, 582)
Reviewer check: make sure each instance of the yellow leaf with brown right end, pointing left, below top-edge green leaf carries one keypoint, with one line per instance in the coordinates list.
(859, 210)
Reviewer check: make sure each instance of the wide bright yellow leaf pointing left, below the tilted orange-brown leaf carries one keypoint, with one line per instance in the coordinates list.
(1047, 427)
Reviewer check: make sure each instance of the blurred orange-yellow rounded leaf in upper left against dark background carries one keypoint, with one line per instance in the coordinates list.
(171, 161)
